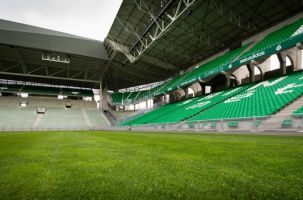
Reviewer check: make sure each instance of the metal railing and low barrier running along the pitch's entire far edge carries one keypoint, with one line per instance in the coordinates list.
(253, 124)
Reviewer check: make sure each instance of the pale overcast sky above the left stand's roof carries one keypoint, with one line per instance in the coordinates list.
(87, 18)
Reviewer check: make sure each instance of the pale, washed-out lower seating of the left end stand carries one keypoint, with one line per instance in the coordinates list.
(82, 114)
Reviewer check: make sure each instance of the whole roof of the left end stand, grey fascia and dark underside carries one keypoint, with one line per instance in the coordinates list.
(22, 46)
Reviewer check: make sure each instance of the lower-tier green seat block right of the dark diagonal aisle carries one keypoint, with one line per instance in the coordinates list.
(263, 99)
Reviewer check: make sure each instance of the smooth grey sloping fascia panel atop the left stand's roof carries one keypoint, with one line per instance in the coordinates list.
(22, 35)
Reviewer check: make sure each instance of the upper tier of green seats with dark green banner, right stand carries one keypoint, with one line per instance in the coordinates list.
(274, 42)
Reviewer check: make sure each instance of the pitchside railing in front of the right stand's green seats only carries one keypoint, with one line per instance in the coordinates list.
(268, 123)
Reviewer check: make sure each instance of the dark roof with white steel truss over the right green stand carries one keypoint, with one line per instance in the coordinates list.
(157, 39)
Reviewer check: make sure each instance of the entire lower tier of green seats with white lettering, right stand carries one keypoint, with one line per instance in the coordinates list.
(254, 100)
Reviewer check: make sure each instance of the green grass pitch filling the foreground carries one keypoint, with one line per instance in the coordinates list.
(128, 165)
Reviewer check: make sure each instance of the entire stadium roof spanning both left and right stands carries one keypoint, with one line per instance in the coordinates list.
(149, 41)
